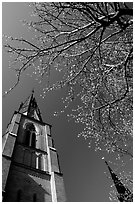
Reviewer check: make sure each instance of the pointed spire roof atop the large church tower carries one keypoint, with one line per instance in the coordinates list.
(30, 107)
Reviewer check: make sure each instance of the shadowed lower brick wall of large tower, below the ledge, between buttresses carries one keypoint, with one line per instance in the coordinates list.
(30, 183)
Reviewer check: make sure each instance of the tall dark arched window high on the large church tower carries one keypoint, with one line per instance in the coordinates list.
(30, 135)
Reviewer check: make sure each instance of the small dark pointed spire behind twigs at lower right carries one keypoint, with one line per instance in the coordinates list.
(124, 194)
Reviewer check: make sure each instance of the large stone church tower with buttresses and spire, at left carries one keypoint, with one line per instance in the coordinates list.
(31, 171)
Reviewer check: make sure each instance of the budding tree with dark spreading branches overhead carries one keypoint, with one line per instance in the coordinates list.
(90, 45)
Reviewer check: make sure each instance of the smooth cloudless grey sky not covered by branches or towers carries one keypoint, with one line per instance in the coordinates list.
(83, 168)
